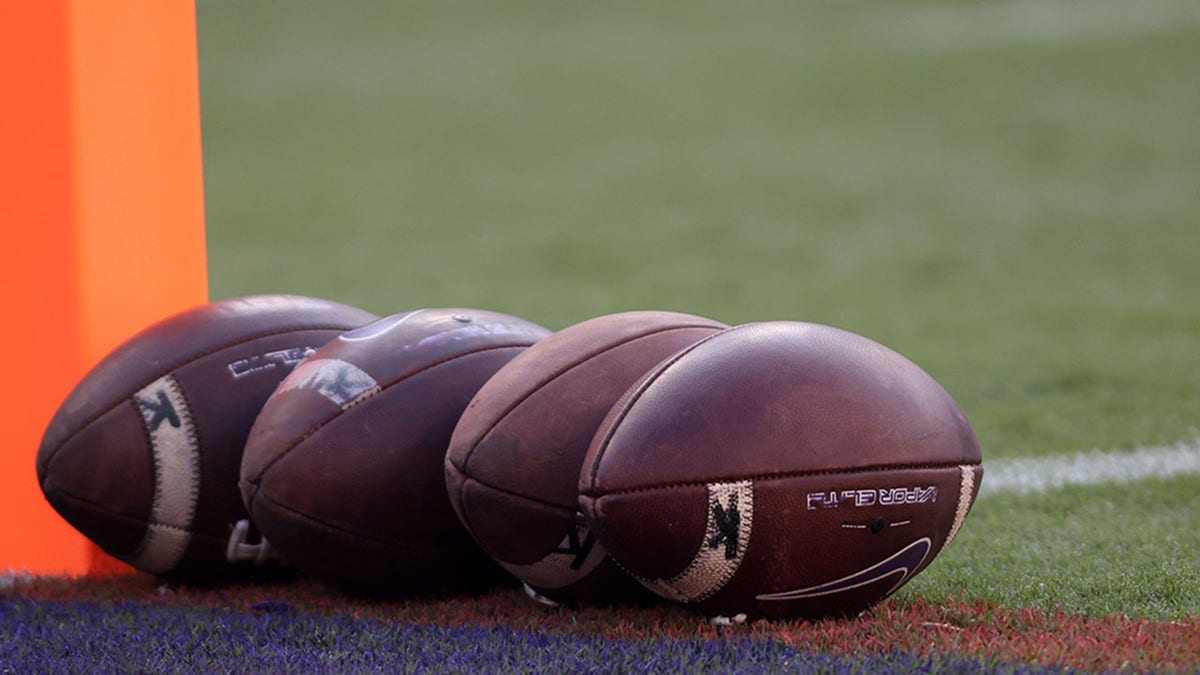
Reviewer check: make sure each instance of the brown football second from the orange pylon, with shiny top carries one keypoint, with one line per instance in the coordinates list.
(343, 470)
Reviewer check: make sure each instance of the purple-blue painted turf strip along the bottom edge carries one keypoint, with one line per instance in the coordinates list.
(76, 637)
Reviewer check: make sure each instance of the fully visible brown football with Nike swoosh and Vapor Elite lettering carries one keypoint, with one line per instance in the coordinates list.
(781, 470)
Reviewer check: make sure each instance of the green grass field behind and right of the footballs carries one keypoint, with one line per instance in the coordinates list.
(1006, 193)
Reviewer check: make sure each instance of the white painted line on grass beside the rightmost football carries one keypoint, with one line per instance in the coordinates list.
(1094, 468)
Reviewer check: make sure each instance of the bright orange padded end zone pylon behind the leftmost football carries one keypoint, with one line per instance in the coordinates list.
(103, 208)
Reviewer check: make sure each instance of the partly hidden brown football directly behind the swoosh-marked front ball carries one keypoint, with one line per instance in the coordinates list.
(514, 462)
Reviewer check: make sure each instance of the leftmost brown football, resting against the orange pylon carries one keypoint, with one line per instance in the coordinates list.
(143, 456)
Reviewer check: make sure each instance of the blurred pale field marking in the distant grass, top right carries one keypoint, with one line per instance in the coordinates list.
(964, 28)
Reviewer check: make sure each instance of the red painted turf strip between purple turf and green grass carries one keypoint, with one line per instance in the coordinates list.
(923, 628)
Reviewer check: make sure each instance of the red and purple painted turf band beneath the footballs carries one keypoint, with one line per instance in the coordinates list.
(304, 626)
